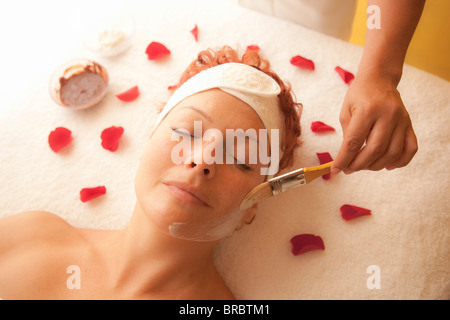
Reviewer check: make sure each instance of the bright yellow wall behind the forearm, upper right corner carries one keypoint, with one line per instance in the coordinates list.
(430, 46)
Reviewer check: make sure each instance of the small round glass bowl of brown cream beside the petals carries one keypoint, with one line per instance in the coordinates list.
(79, 84)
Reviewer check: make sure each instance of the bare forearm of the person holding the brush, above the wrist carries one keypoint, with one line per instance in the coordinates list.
(385, 48)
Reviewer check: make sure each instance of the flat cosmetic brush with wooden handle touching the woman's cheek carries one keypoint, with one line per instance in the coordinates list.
(285, 182)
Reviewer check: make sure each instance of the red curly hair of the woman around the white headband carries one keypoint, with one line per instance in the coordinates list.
(288, 105)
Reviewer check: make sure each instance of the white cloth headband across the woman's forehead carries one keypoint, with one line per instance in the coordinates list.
(246, 83)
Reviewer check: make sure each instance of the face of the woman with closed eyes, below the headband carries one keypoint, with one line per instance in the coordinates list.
(198, 199)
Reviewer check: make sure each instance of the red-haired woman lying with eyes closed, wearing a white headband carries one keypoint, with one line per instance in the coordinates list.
(186, 203)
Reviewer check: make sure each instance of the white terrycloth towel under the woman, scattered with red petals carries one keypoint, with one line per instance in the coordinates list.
(406, 237)
